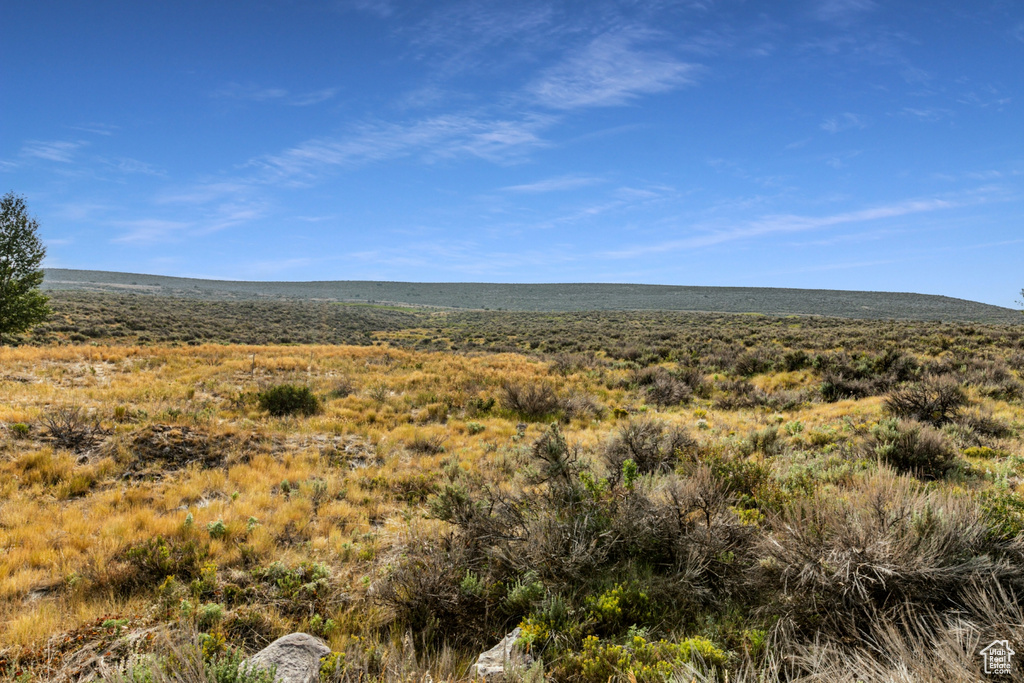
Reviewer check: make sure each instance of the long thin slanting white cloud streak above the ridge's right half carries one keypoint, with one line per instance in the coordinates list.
(785, 225)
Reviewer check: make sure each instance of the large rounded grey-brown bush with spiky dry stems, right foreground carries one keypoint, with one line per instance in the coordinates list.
(838, 563)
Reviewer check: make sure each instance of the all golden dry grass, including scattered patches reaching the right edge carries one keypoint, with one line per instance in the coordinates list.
(340, 488)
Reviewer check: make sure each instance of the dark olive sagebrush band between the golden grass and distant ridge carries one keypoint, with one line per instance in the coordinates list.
(95, 318)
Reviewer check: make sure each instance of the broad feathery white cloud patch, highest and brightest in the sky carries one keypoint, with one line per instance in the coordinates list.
(609, 72)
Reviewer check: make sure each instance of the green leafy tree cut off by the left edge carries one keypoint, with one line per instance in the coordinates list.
(22, 252)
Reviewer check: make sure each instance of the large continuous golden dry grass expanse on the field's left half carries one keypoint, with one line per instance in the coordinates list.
(65, 521)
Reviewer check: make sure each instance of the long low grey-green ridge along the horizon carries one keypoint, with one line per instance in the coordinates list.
(570, 297)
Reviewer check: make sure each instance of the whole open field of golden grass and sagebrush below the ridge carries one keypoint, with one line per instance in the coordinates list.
(645, 494)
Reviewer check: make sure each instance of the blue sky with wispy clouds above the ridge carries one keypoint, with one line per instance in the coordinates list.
(822, 144)
